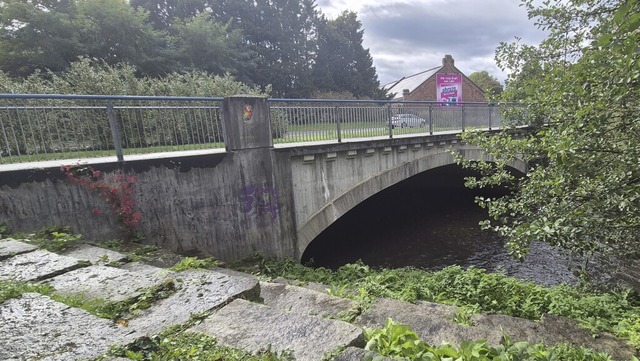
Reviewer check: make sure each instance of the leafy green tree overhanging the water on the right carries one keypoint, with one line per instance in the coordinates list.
(582, 190)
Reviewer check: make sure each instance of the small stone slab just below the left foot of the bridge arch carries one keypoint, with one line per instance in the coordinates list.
(304, 300)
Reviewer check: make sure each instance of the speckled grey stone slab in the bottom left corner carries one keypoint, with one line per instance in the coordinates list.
(34, 327)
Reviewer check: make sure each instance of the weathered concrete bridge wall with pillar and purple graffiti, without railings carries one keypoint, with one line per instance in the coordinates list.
(251, 198)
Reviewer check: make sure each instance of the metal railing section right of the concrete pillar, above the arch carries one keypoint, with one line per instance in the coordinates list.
(307, 120)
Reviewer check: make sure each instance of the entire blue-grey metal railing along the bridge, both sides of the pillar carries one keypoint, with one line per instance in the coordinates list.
(37, 127)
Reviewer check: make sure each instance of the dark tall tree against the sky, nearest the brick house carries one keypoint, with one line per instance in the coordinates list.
(342, 63)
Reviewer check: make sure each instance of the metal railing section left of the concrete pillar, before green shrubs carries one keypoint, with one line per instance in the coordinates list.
(45, 127)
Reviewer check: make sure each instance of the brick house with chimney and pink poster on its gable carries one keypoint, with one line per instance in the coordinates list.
(431, 85)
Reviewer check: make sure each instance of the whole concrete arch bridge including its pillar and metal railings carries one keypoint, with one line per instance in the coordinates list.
(265, 176)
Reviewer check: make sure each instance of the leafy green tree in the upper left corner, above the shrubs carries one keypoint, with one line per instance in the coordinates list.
(38, 34)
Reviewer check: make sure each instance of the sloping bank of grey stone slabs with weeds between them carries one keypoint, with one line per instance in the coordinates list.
(228, 308)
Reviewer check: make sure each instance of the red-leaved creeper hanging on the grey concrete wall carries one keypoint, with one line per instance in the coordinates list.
(116, 190)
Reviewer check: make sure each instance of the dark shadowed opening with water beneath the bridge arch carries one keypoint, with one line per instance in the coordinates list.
(429, 221)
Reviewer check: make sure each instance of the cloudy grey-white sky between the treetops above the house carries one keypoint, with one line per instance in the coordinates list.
(408, 36)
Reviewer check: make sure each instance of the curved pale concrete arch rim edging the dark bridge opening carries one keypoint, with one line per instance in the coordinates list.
(362, 189)
